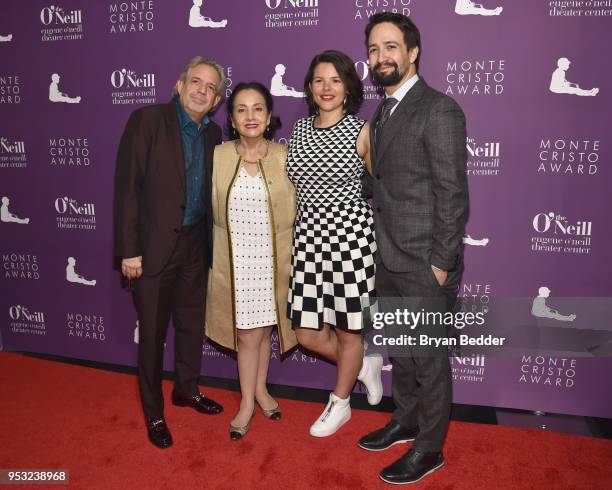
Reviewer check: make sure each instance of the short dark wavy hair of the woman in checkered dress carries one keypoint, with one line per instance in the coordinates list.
(346, 70)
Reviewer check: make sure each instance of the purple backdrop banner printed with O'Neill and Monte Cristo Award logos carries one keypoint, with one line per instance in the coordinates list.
(531, 75)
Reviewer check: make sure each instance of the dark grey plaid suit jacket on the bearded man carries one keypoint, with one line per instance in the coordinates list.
(420, 185)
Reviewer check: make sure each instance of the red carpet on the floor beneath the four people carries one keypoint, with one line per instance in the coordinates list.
(55, 415)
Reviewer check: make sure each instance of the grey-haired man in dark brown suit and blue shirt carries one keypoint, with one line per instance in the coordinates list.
(163, 233)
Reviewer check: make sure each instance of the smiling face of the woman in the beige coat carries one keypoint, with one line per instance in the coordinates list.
(250, 116)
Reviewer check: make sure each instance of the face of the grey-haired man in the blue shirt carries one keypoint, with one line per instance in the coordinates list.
(198, 94)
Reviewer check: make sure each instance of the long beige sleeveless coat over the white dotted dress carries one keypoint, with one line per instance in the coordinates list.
(220, 309)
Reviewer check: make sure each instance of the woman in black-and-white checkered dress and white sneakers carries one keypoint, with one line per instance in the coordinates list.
(333, 268)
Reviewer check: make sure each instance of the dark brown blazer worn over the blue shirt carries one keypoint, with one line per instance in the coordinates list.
(150, 190)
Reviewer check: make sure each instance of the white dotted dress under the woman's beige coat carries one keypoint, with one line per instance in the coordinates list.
(252, 252)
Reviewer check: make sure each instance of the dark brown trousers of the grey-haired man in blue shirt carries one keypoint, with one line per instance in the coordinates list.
(177, 293)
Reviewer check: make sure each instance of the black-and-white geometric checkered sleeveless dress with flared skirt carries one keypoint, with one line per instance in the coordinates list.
(333, 248)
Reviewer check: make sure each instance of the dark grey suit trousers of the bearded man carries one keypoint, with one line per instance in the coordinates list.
(421, 379)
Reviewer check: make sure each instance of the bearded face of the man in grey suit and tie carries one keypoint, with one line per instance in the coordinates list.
(390, 59)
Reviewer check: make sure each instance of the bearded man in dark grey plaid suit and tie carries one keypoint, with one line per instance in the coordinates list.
(420, 200)
